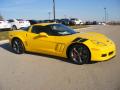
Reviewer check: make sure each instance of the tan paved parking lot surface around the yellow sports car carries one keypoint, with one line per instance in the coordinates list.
(40, 72)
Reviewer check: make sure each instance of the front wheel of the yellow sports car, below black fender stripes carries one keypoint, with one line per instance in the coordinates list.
(79, 54)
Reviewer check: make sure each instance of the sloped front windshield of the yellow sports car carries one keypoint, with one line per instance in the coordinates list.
(59, 29)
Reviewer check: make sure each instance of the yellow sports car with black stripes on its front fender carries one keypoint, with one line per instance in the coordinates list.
(62, 41)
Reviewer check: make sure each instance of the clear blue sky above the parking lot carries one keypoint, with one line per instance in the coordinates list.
(83, 9)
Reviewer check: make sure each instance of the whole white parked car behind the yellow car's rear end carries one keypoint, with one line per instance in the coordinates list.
(18, 23)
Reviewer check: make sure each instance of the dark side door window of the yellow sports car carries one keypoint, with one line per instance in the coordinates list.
(39, 29)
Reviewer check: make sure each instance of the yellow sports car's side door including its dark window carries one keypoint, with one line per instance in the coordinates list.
(41, 44)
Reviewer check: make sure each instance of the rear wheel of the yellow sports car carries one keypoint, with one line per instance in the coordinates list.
(18, 46)
